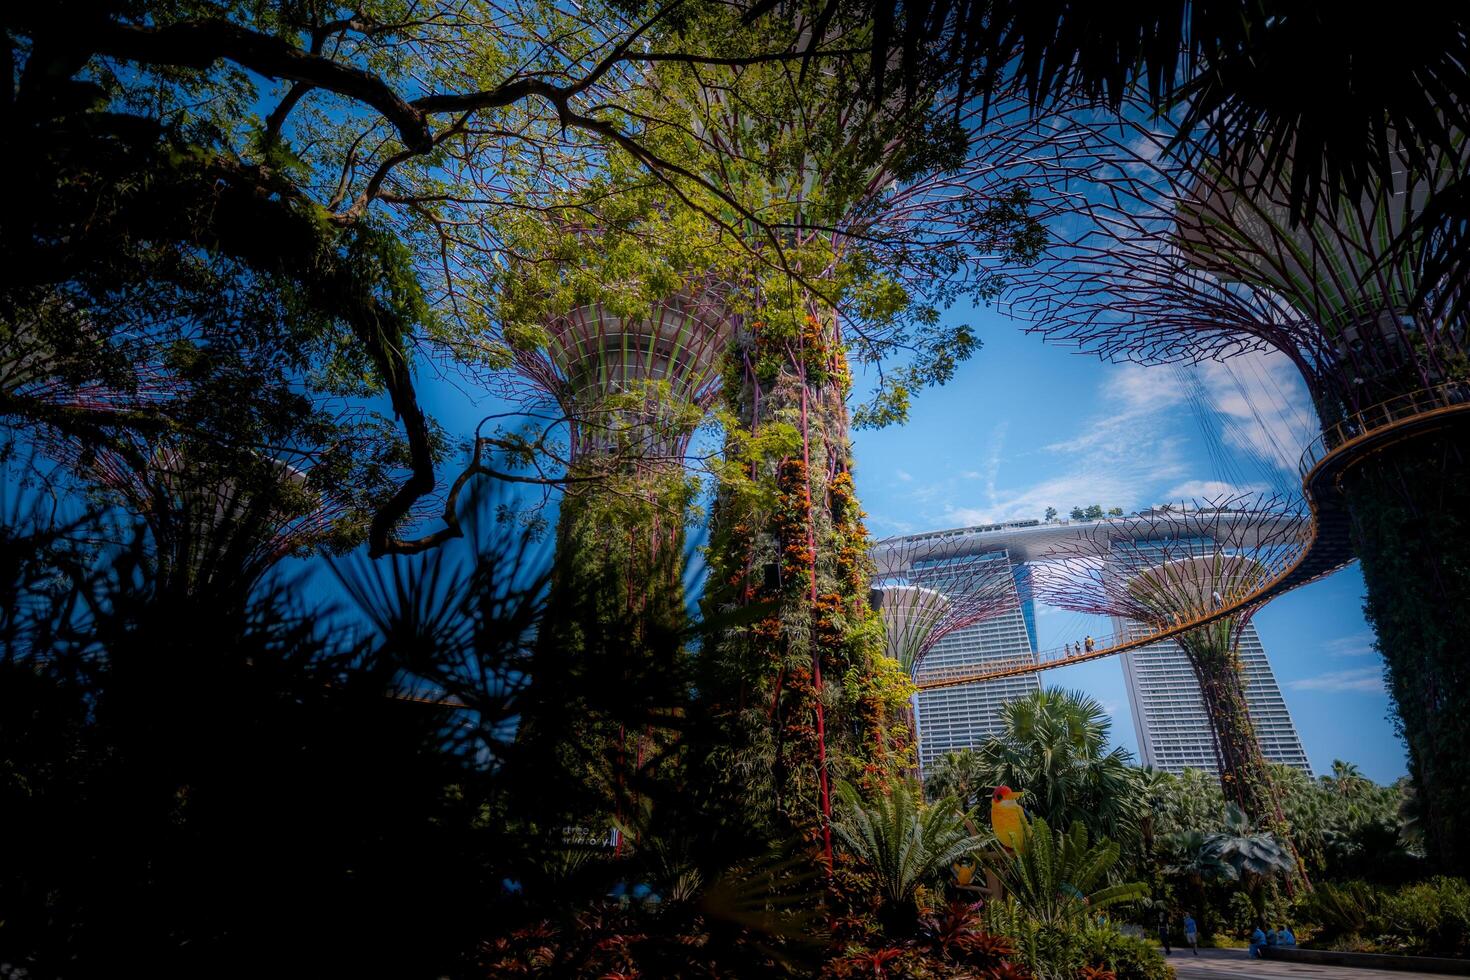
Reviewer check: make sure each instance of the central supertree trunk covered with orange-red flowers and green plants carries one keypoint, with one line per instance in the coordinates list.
(805, 684)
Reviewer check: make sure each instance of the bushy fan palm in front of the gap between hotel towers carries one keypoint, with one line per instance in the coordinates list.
(1055, 749)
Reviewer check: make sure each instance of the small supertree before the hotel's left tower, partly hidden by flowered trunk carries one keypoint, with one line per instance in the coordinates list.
(922, 596)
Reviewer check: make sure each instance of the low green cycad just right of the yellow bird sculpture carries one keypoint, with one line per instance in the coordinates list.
(1062, 875)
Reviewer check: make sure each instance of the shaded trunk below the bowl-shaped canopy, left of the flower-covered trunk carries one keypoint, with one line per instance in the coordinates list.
(609, 656)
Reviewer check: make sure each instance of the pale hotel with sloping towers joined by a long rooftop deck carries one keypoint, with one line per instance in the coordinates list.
(1169, 715)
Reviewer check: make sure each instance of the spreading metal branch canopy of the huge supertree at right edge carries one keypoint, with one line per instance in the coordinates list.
(1172, 256)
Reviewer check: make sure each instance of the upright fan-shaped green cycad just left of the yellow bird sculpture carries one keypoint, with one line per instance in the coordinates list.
(903, 843)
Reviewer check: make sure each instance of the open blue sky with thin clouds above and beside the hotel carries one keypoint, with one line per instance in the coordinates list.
(1025, 427)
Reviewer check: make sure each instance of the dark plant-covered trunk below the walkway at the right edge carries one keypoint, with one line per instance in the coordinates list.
(1410, 511)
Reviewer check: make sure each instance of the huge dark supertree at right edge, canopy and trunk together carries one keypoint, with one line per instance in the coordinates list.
(1175, 256)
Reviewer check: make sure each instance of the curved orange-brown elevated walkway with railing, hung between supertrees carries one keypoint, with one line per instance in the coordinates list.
(1327, 546)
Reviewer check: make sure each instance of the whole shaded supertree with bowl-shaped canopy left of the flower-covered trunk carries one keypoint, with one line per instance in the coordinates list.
(630, 383)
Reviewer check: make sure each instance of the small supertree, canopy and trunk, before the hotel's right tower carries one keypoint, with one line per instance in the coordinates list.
(1174, 566)
